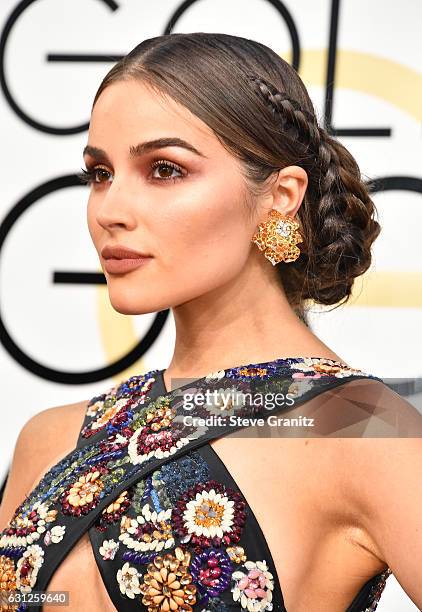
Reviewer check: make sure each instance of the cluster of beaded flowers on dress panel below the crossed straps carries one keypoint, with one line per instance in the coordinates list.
(183, 549)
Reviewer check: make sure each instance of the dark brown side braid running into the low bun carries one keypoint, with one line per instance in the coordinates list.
(338, 210)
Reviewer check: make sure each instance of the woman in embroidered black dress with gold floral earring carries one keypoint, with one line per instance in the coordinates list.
(213, 191)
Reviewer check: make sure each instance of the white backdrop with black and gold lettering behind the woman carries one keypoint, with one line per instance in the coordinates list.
(60, 340)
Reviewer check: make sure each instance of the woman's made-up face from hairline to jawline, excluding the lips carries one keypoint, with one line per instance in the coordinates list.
(184, 208)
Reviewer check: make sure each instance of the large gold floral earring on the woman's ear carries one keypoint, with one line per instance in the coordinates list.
(277, 238)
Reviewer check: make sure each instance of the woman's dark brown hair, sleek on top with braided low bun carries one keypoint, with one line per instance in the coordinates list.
(260, 110)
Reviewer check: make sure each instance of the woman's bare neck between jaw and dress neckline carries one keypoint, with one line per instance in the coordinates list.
(250, 321)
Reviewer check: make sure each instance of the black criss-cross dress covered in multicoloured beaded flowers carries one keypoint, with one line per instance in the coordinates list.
(169, 527)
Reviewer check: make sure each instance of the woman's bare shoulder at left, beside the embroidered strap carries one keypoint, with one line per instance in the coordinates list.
(44, 439)
